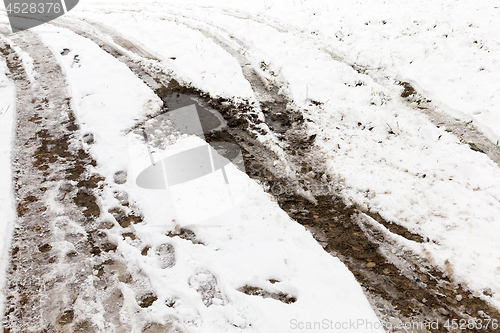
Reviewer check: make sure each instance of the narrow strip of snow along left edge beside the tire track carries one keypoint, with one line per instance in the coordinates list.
(7, 203)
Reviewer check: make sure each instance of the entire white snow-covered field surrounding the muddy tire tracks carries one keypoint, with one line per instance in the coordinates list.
(383, 153)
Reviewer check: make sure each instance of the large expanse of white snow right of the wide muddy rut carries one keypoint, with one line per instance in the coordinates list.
(420, 177)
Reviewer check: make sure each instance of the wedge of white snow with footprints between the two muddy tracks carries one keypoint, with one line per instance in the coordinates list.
(250, 242)
